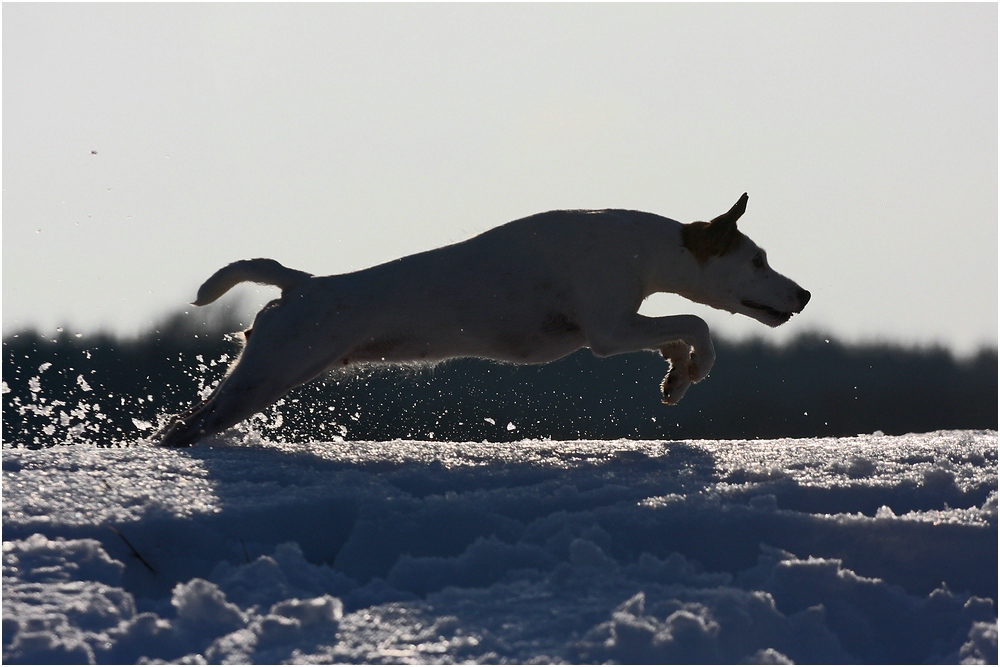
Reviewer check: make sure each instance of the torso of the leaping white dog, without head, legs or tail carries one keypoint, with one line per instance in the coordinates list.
(519, 292)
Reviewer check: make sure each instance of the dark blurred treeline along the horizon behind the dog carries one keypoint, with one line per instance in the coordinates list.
(110, 390)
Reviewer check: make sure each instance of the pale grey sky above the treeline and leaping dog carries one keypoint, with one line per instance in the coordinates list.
(333, 137)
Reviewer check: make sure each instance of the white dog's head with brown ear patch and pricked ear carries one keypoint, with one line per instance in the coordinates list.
(733, 273)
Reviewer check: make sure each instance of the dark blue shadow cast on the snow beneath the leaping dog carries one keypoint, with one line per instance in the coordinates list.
(360, 516)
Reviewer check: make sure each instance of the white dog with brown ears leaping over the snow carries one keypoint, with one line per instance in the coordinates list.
(531, 291)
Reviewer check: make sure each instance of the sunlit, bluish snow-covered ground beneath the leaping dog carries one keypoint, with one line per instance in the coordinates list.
(866, 549)
